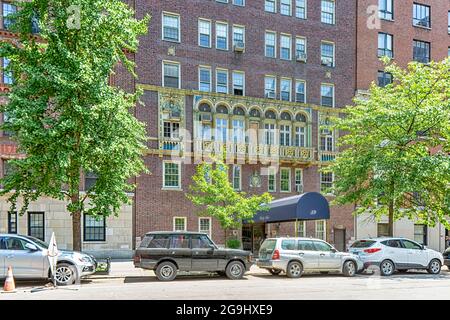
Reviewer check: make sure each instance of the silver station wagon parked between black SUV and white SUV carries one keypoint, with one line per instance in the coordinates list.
(297, 255)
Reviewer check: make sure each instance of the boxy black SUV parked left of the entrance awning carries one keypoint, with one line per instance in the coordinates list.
(169, 252)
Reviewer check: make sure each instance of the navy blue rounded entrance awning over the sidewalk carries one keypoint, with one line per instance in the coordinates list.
(307, 206)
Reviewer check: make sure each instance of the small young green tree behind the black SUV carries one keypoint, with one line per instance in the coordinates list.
(215, 196)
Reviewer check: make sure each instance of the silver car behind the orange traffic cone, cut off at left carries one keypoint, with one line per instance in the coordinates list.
(28, 258)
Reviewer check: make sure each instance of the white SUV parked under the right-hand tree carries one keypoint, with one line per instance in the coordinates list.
(391, 254)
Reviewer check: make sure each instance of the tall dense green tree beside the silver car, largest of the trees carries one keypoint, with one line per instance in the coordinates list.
(62, 111)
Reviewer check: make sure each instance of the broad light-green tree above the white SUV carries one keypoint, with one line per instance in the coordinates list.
(395, 149)
